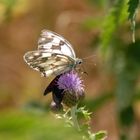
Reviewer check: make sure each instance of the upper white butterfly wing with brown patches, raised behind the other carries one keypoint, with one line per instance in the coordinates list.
(54, 43)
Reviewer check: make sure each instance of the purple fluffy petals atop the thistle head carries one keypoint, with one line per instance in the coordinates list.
(70, 82)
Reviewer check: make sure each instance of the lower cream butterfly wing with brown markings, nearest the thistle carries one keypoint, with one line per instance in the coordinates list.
(48, 63)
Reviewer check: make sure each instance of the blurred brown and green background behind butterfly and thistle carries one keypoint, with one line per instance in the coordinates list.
(96, 28)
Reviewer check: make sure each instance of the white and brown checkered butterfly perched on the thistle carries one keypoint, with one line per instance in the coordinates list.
(54, 56)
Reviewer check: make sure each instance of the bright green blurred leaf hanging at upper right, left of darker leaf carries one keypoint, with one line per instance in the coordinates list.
(114, 19)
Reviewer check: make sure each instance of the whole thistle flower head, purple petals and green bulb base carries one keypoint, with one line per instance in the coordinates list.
(72, 86)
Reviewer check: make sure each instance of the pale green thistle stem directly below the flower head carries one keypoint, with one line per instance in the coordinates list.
(74, 117)
